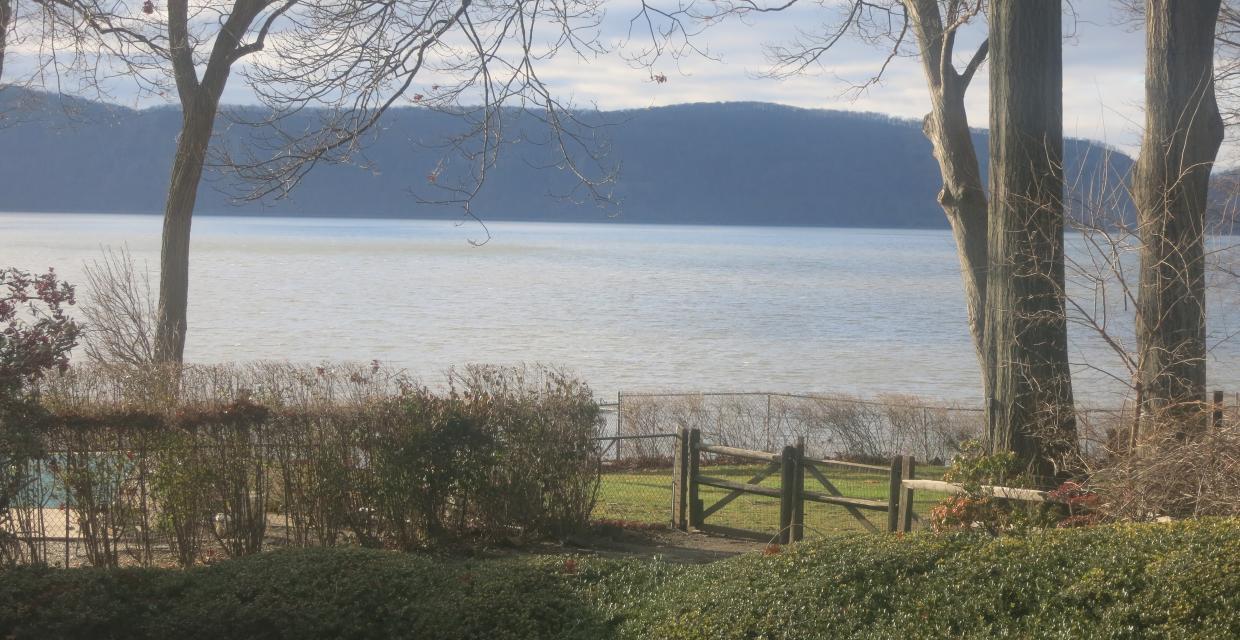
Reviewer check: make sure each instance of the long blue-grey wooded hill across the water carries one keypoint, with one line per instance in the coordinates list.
(717, 164)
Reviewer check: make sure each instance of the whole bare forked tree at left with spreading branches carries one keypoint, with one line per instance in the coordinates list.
(354, 60)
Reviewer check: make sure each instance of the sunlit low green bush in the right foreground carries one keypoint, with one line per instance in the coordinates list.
(1130, 581)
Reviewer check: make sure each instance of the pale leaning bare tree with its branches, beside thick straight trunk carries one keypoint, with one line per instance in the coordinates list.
(893, 25)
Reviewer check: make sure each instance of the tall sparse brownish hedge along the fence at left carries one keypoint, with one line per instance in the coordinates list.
(180, 464)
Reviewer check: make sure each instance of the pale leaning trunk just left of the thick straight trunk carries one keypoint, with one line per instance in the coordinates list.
(963, 197)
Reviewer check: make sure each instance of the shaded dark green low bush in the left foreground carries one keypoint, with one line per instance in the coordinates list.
(301, 595)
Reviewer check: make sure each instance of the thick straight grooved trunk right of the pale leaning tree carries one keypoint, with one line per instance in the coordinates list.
(1031, 411)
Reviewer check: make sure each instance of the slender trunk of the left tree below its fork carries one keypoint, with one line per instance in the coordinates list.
(174, 286)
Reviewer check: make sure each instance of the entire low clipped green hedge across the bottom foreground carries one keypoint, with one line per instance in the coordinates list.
(1127, 581)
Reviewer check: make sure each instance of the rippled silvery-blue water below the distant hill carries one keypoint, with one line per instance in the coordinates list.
(629, 308)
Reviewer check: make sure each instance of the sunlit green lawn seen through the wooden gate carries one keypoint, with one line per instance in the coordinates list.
(647, 497)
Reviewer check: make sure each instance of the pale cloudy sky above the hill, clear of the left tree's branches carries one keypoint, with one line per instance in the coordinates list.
(1103, 70)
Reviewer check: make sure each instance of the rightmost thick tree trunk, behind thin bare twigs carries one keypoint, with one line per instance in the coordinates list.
(1171, 182)
